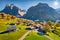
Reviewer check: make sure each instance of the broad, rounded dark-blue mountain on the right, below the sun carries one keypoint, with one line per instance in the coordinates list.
(42, 12)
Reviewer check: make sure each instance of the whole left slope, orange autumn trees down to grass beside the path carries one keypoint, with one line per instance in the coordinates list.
(5, 21)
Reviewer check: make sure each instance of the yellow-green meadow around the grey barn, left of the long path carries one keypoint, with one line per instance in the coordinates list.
(12, 35)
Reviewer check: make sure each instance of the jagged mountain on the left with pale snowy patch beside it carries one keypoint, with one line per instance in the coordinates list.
(13, 10)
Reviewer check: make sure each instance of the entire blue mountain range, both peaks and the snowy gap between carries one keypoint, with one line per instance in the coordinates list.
(41, 12)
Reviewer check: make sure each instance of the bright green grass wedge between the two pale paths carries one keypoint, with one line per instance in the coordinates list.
(35, 36)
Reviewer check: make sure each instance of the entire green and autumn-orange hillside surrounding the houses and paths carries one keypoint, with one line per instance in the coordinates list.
(22, 24)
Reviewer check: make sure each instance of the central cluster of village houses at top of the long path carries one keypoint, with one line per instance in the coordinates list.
(38, 28)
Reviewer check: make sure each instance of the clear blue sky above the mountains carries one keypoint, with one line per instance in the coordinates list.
(25, 4)
